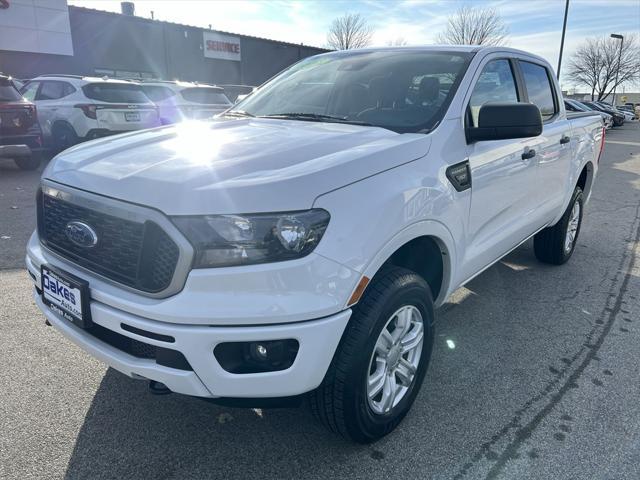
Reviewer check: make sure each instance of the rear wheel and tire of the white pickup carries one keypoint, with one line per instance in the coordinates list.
(551, 245)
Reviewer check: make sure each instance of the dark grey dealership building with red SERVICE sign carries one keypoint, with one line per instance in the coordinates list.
(38, 36)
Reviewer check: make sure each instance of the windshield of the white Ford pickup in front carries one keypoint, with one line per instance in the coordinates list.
(401, 90)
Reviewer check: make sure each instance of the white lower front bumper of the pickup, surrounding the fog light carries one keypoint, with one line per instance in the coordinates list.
(318, 341)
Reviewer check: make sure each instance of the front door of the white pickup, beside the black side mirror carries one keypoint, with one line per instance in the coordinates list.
(502, 211)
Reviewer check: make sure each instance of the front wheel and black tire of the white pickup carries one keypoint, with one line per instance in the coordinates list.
(342, 402)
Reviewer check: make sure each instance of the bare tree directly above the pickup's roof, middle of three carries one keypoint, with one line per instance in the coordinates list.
(474, 26)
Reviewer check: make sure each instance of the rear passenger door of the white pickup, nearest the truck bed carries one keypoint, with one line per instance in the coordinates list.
(553, 154)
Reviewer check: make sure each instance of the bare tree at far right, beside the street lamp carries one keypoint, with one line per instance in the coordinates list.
(597, 60)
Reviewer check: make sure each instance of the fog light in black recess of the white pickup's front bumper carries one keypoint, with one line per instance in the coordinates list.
(257, 357)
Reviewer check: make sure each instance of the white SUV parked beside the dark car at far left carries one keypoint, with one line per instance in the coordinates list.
(73, 108)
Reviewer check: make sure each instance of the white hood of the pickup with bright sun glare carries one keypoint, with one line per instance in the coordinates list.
(233, 166)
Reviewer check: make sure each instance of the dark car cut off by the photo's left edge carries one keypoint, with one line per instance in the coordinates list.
(20, 134)
